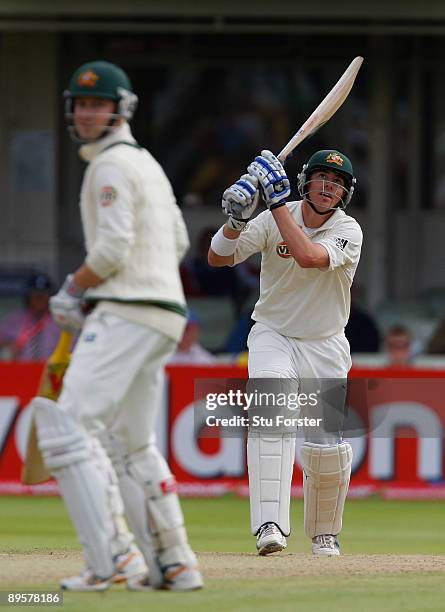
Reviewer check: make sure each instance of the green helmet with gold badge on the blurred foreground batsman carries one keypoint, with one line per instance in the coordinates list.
(101, 79)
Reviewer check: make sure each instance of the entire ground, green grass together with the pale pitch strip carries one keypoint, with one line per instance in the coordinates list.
(393, 559)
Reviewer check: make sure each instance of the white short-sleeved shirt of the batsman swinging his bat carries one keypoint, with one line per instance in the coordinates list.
(306, 303)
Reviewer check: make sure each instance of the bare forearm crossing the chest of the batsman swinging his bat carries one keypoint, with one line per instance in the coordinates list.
(306, 253)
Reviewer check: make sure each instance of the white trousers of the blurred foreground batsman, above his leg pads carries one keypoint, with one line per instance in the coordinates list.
(114, 380)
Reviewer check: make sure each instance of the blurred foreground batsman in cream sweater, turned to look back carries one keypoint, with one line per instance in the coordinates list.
(135, 238)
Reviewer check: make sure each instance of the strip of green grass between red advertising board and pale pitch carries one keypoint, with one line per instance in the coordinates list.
(370, 526)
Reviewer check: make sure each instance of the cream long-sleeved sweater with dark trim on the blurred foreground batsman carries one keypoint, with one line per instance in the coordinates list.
(135, 235)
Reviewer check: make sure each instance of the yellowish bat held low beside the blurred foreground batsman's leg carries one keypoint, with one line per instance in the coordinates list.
(50, 385)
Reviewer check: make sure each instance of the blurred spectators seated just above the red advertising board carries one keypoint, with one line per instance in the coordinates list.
(28, 333)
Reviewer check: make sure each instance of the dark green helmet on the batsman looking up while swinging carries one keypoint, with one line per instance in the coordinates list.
(333, 160)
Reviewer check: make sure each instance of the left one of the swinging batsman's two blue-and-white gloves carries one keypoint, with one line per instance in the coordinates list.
(240, 200)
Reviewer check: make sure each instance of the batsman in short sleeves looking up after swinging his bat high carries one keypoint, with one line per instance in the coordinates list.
(310, 251)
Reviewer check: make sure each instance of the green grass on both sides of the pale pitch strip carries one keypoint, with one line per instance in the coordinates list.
(370, 526)
